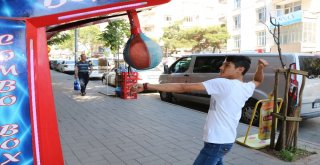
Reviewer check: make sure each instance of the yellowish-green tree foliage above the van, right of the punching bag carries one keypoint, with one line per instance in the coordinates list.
(197, 38)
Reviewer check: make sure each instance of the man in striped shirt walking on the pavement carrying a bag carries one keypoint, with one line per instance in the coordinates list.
(82, 70)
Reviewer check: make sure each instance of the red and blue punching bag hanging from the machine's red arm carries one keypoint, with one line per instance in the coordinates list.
(140, 51)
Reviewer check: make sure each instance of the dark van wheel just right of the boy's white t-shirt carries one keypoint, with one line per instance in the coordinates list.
(247, 111)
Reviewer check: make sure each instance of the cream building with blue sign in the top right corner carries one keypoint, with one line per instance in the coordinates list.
(301, 29)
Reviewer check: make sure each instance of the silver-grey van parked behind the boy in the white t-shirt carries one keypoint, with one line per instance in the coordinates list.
(202, 67)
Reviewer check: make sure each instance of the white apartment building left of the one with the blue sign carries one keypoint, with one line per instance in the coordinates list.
(247, 26)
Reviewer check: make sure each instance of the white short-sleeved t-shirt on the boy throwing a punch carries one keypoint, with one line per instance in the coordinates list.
(227, 99)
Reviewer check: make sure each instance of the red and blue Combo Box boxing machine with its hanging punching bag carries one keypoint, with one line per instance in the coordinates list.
(28, 125)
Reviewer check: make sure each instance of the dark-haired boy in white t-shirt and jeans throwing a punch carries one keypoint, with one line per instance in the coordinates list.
(228, 95)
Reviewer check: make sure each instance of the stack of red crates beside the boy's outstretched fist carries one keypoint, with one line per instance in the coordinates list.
(127, 80)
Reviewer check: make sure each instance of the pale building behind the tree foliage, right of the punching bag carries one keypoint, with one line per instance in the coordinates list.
(190, 12)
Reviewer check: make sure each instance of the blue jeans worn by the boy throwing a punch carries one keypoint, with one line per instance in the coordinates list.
(212, 154)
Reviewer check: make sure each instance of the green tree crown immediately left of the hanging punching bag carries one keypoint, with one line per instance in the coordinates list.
(114, 34)
